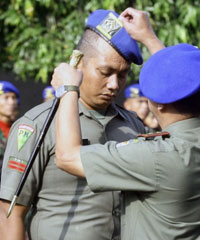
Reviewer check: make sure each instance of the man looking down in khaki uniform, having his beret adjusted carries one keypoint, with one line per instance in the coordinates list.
(64, 207)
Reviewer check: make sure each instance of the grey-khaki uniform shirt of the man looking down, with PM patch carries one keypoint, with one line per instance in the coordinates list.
(64, 206)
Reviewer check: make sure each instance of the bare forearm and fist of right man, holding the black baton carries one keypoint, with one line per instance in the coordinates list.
(68, 133)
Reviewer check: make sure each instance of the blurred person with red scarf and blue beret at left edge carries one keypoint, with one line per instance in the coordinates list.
(9, 109)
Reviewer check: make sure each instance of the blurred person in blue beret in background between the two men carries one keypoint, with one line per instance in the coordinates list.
(137, 102)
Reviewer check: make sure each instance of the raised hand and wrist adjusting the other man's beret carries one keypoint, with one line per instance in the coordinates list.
(137, 24)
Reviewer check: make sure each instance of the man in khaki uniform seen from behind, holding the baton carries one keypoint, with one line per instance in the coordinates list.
(159, 174)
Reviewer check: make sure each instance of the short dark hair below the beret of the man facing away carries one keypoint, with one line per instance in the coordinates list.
(189, 105)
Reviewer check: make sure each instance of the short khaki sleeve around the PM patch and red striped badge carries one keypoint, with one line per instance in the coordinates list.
(10, 176)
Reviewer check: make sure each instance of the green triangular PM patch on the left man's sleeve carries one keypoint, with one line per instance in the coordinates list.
(24, 132)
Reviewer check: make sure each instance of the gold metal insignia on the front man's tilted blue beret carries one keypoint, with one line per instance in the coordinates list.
(110, 25)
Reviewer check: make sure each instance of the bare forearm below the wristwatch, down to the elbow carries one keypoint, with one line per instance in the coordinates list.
(68, 135)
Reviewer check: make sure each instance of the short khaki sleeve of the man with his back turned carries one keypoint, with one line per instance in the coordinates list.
(130, 167)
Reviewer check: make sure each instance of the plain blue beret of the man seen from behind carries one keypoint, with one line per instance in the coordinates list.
(171, 74)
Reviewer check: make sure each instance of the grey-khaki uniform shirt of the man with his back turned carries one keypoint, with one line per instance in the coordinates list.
(160, 179)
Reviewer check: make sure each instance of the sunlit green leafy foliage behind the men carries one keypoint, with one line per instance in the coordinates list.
(36, 35)
